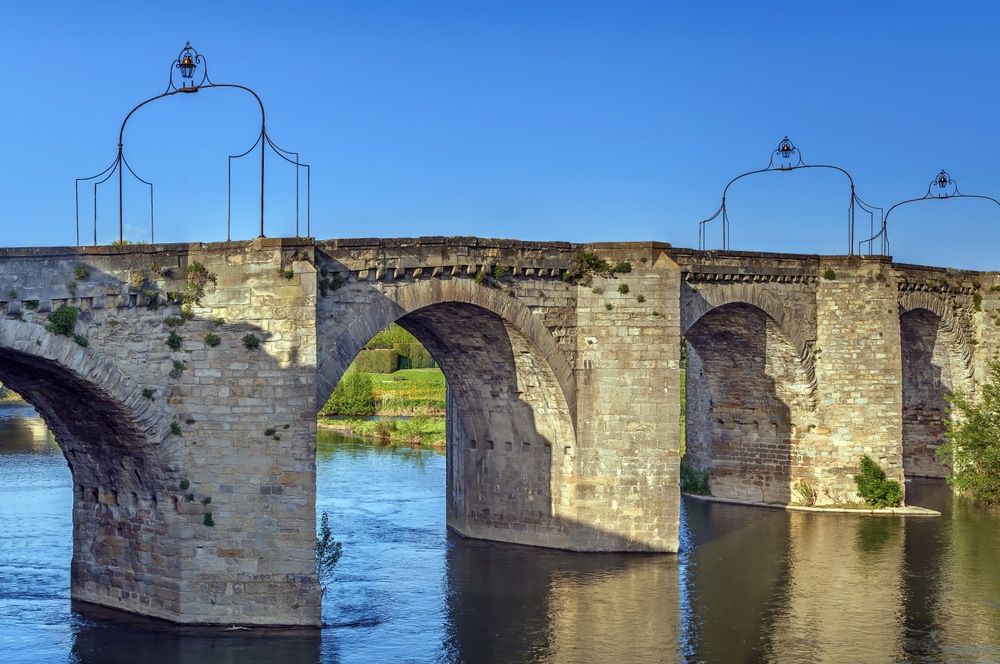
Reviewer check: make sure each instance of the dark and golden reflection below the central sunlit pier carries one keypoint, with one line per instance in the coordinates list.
(515, 604)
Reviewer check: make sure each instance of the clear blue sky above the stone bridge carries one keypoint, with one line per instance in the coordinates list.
(530, 119)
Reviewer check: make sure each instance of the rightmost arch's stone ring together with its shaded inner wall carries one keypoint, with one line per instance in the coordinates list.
(937, 360)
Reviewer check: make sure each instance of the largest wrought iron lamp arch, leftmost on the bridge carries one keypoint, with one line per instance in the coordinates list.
(187, 63)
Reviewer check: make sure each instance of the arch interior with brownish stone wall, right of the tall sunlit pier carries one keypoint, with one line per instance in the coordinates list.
(745, 387)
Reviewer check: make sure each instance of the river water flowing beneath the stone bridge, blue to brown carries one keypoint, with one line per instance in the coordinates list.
(750, 585)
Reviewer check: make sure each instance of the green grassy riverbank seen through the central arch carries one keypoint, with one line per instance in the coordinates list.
(417, 394)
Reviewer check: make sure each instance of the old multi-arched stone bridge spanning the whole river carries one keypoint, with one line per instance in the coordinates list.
(182, 383)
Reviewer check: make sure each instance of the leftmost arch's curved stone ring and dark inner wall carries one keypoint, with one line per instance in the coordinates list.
(114, 440)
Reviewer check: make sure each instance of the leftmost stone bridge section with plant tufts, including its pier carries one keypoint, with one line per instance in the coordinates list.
(184, 507)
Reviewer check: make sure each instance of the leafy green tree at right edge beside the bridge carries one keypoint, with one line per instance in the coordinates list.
(973, 447)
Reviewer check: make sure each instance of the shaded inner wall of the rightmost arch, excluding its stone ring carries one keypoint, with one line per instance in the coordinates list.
(927, 379)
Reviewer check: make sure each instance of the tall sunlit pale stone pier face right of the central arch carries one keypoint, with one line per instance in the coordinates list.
(625, 479)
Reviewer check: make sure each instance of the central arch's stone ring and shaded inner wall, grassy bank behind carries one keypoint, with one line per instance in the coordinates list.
(510, 429)
